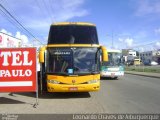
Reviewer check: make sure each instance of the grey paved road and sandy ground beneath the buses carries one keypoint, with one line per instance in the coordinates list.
(129, 94)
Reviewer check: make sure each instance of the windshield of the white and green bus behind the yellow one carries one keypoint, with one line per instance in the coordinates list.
(115, 59)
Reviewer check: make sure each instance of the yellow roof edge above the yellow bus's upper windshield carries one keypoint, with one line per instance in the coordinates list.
(74, 23)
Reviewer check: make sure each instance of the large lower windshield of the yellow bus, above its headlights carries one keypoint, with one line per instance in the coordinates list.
(73, 60)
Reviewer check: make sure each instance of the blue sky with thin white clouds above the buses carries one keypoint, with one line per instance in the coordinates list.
(121, 24)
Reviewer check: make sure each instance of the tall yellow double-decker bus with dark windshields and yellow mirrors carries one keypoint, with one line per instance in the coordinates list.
(70, 62)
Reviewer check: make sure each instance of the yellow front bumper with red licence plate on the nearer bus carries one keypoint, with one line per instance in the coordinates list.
(73, 88)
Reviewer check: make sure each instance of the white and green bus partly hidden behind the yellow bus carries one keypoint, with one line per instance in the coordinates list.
(114, 66)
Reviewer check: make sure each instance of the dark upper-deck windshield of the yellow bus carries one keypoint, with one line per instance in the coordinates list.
(72, 34)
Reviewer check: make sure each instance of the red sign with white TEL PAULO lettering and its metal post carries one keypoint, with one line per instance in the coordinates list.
(18, 70)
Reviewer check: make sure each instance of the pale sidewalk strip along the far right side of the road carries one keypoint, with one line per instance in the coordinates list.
(147, 74)
